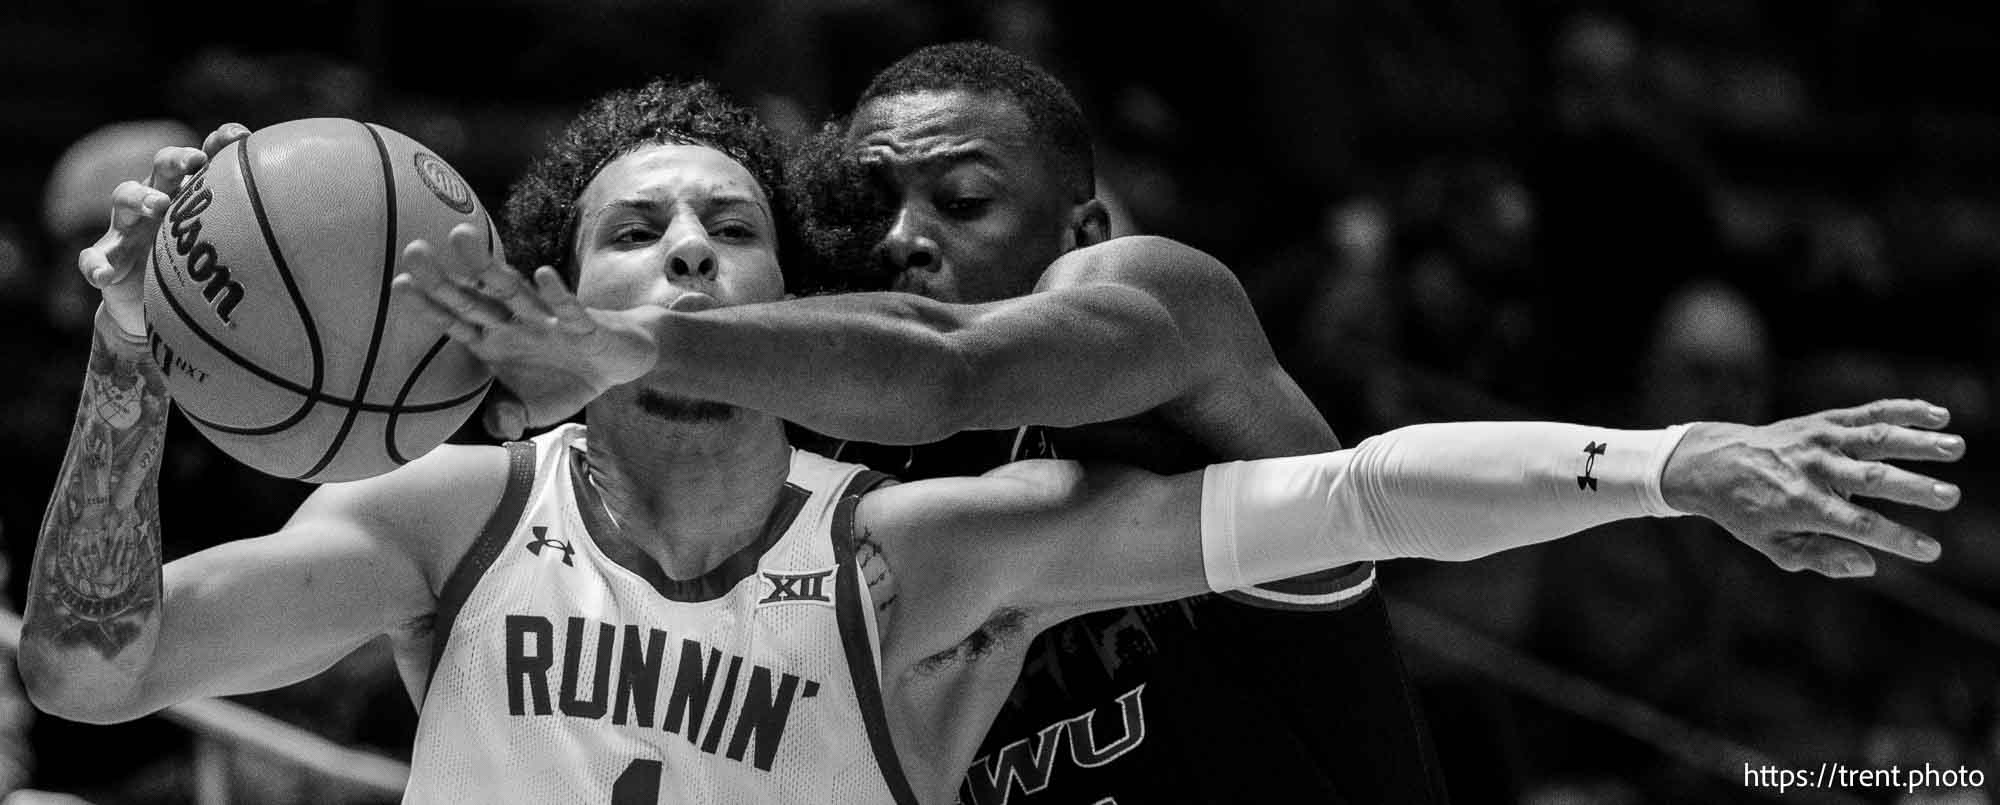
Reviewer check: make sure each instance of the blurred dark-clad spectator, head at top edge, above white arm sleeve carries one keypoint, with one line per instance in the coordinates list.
(1625, 213)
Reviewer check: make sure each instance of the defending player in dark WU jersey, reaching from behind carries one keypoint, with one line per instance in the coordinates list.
(1221, 698)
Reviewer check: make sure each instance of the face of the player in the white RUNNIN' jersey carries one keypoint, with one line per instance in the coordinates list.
(675, 225)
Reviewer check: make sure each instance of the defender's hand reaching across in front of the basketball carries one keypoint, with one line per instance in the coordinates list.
(551, 353)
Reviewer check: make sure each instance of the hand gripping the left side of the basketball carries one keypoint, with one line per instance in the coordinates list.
(117, 263)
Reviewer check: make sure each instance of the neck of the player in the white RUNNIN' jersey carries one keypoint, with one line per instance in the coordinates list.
(685, 496)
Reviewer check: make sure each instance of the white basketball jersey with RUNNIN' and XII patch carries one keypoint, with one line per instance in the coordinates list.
(565, 678)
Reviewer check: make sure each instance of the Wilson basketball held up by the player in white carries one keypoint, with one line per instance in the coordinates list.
(271, 309)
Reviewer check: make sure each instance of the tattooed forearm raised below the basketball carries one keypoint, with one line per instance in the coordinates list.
(97, 572)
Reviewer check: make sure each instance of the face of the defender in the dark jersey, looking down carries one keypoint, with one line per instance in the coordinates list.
(979, 209)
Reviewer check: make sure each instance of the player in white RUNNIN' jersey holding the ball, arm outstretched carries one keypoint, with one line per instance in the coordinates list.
(675, 606)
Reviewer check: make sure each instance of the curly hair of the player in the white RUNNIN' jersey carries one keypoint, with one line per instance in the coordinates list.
(541, 209)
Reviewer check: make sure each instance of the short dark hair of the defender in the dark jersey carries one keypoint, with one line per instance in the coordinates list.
(979, 67)
